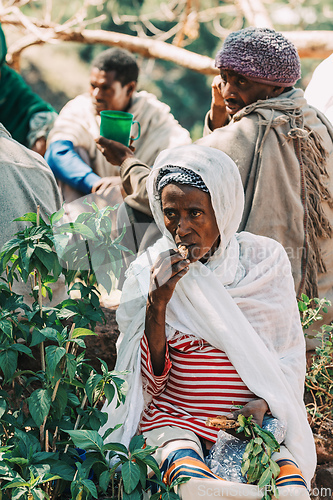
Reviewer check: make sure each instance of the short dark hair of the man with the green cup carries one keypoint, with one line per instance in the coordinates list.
(119, 60)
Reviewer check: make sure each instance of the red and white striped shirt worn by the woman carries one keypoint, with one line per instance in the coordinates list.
(198, 382)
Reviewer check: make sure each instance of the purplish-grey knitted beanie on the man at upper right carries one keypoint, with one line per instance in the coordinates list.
(262, 55)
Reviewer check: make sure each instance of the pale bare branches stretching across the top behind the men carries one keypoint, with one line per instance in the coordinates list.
(316, 44)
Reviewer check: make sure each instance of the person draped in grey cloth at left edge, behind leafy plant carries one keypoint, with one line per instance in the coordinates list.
(26, 181)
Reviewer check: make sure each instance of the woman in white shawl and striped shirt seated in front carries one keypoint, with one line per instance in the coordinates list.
(209, 320)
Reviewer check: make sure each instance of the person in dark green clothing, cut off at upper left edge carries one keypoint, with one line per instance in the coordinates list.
(24, 114)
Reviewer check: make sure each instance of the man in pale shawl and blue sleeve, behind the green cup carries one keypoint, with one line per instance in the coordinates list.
(72, 153)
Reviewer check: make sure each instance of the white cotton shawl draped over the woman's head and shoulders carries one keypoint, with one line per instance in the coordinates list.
(242, 301)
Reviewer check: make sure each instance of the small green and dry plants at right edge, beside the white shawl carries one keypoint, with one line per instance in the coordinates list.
(319, 376)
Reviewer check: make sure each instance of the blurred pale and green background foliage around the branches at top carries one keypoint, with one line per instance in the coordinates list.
(59, 72)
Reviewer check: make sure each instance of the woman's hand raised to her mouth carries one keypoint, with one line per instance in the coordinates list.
(168, 269)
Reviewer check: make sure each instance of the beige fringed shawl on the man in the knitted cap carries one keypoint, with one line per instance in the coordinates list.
(284, 151)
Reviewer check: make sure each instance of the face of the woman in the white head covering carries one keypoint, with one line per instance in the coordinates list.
(190, 218)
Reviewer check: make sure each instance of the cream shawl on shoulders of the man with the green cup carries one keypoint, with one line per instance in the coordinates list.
(78, 123)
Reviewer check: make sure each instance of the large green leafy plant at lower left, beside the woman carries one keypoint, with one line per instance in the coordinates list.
(50, 415)
